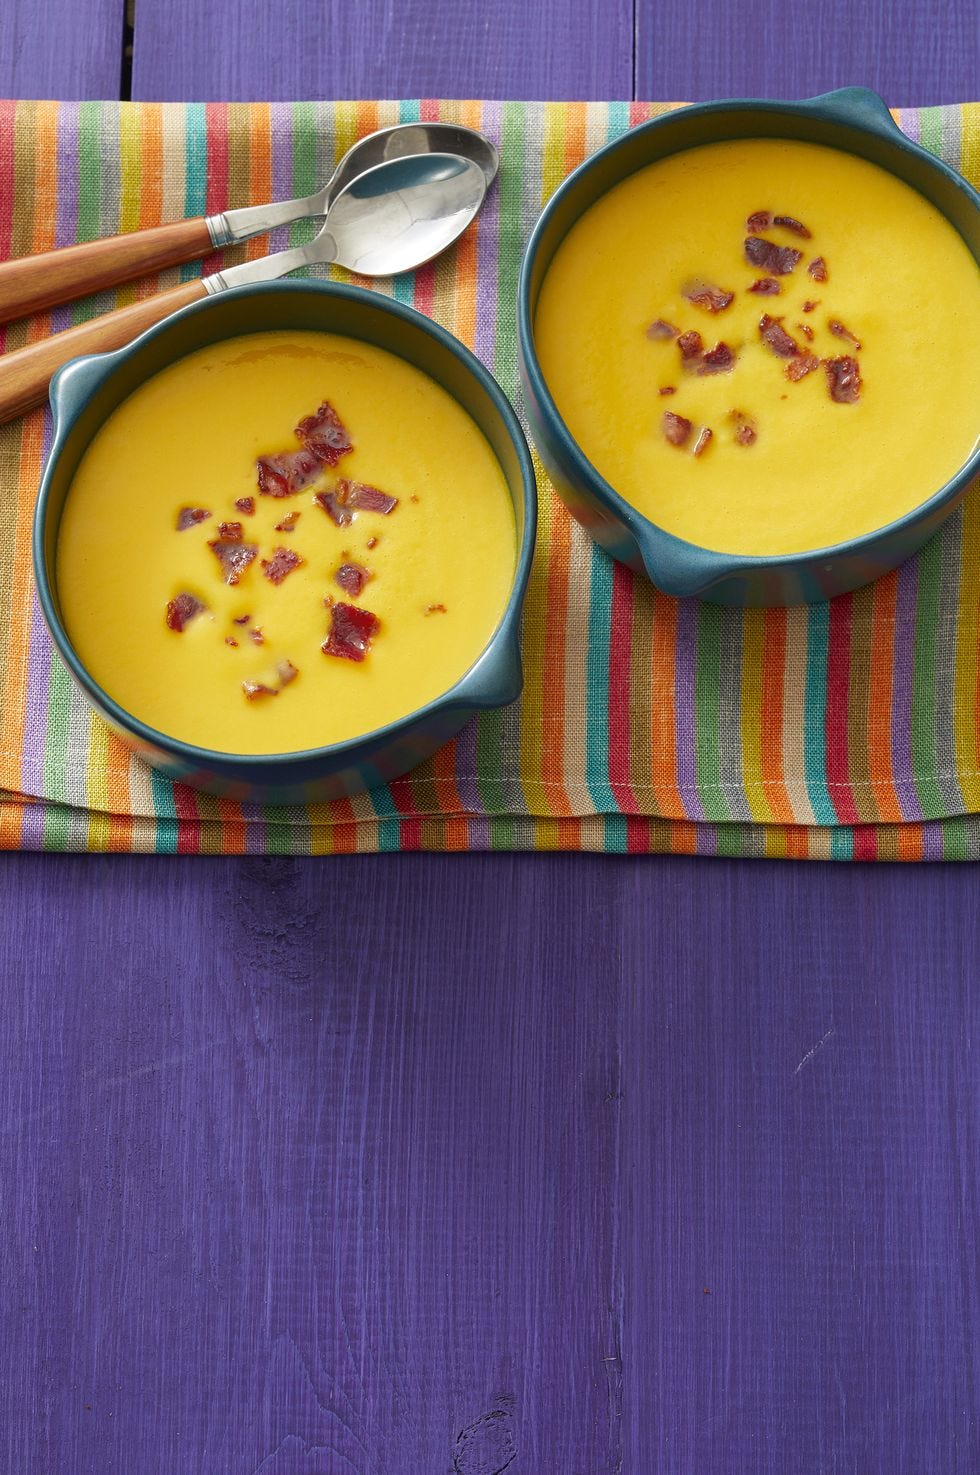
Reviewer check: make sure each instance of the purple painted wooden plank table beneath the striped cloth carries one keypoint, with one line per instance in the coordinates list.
(634, 1167)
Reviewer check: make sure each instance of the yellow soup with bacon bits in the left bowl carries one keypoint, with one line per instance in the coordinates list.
(249, 672)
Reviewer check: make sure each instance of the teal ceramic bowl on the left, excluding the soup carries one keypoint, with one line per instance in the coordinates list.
(86, 392)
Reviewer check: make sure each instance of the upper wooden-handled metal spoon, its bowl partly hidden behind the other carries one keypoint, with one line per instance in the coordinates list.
(38, 282)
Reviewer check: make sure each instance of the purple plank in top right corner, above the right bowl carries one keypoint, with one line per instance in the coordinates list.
(914, 55)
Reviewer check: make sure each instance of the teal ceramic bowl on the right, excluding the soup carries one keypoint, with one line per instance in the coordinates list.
(852, 120)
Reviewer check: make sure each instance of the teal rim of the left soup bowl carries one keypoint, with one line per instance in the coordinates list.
(504, 638)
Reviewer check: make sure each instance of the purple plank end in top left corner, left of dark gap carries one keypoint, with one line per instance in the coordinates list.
(73, 49)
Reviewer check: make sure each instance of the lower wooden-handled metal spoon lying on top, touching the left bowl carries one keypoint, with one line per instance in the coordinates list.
(390, 219)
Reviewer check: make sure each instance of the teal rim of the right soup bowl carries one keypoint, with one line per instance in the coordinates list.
(857, 108)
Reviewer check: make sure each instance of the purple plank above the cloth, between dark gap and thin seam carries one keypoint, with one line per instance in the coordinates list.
(249, 49)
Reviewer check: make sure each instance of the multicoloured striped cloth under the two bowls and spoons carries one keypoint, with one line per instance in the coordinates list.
(846, 731)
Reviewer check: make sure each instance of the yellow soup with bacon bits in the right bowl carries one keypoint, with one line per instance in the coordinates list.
(882, 309)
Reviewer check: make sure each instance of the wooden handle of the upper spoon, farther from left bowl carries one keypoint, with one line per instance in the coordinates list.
(32, 284)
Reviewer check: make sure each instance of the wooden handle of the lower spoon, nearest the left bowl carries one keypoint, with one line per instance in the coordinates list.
(26, 372)
